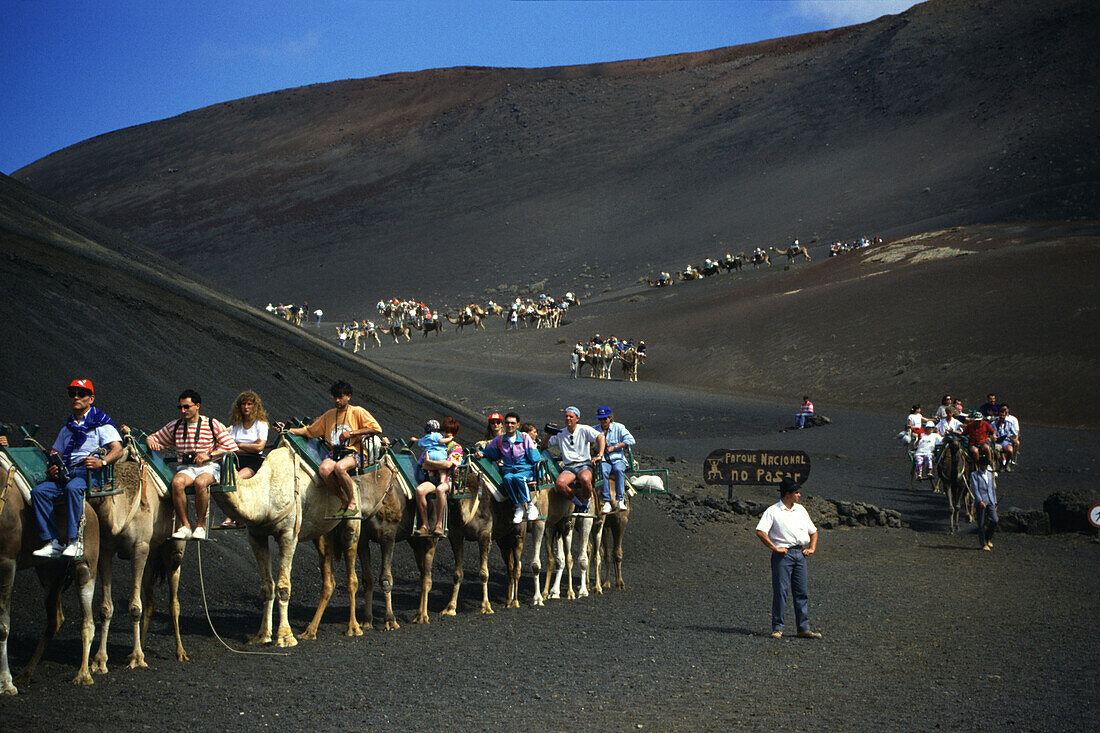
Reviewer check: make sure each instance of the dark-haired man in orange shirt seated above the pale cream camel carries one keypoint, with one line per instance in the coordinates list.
(344, 430)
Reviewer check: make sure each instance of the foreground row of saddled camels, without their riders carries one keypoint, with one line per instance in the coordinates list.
(288, 502)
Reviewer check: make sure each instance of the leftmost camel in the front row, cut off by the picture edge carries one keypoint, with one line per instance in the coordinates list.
(16, 555)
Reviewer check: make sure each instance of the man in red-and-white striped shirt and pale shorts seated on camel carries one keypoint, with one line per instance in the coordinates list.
(200, 443)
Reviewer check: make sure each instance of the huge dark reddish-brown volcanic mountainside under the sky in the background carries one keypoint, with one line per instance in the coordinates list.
(953, 113)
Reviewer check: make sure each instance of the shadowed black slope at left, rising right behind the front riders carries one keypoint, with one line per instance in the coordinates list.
(82, 301)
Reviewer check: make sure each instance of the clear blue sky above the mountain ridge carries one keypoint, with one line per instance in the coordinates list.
(78, 69)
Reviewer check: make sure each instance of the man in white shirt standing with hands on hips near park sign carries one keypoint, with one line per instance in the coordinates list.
(788, 532)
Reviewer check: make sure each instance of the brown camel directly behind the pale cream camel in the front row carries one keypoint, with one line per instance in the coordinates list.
(389, 515)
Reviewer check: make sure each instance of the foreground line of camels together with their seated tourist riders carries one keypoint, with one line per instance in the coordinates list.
(336, 483)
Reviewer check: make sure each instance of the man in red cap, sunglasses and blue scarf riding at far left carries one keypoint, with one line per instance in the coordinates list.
(89, 442)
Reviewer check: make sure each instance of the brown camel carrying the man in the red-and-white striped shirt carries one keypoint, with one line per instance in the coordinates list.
(137, 526)
